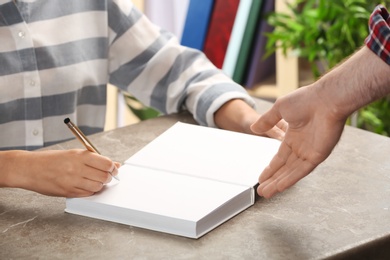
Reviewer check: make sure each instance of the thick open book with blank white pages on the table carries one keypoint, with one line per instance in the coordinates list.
(186, 182)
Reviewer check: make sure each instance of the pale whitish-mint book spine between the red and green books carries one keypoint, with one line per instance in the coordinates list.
(236, 36)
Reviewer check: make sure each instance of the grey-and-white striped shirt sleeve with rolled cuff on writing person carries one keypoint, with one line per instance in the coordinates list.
(151, 64)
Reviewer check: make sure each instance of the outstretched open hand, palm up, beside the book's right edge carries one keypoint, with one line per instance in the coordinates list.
(313, 131)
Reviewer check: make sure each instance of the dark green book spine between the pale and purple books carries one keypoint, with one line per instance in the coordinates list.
(247, 41)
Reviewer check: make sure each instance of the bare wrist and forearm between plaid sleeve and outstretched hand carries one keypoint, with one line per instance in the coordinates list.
(361, 79)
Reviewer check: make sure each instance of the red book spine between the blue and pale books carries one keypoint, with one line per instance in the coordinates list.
(220, 28)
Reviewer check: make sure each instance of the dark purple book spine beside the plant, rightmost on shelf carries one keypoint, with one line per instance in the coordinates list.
(258, 67)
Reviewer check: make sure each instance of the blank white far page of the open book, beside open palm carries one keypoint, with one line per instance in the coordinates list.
(208, 153)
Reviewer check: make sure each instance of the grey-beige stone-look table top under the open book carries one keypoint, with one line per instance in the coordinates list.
(339, 211)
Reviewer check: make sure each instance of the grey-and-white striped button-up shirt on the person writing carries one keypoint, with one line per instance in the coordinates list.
(57, 56)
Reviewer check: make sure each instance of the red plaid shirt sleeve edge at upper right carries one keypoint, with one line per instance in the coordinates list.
(378, 40)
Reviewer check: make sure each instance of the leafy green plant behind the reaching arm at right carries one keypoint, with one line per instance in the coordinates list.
(324, 33)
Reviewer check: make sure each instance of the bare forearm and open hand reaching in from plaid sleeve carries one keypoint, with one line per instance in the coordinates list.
(316, 116)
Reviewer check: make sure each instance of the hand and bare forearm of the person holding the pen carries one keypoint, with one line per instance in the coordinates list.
(71, 173)
